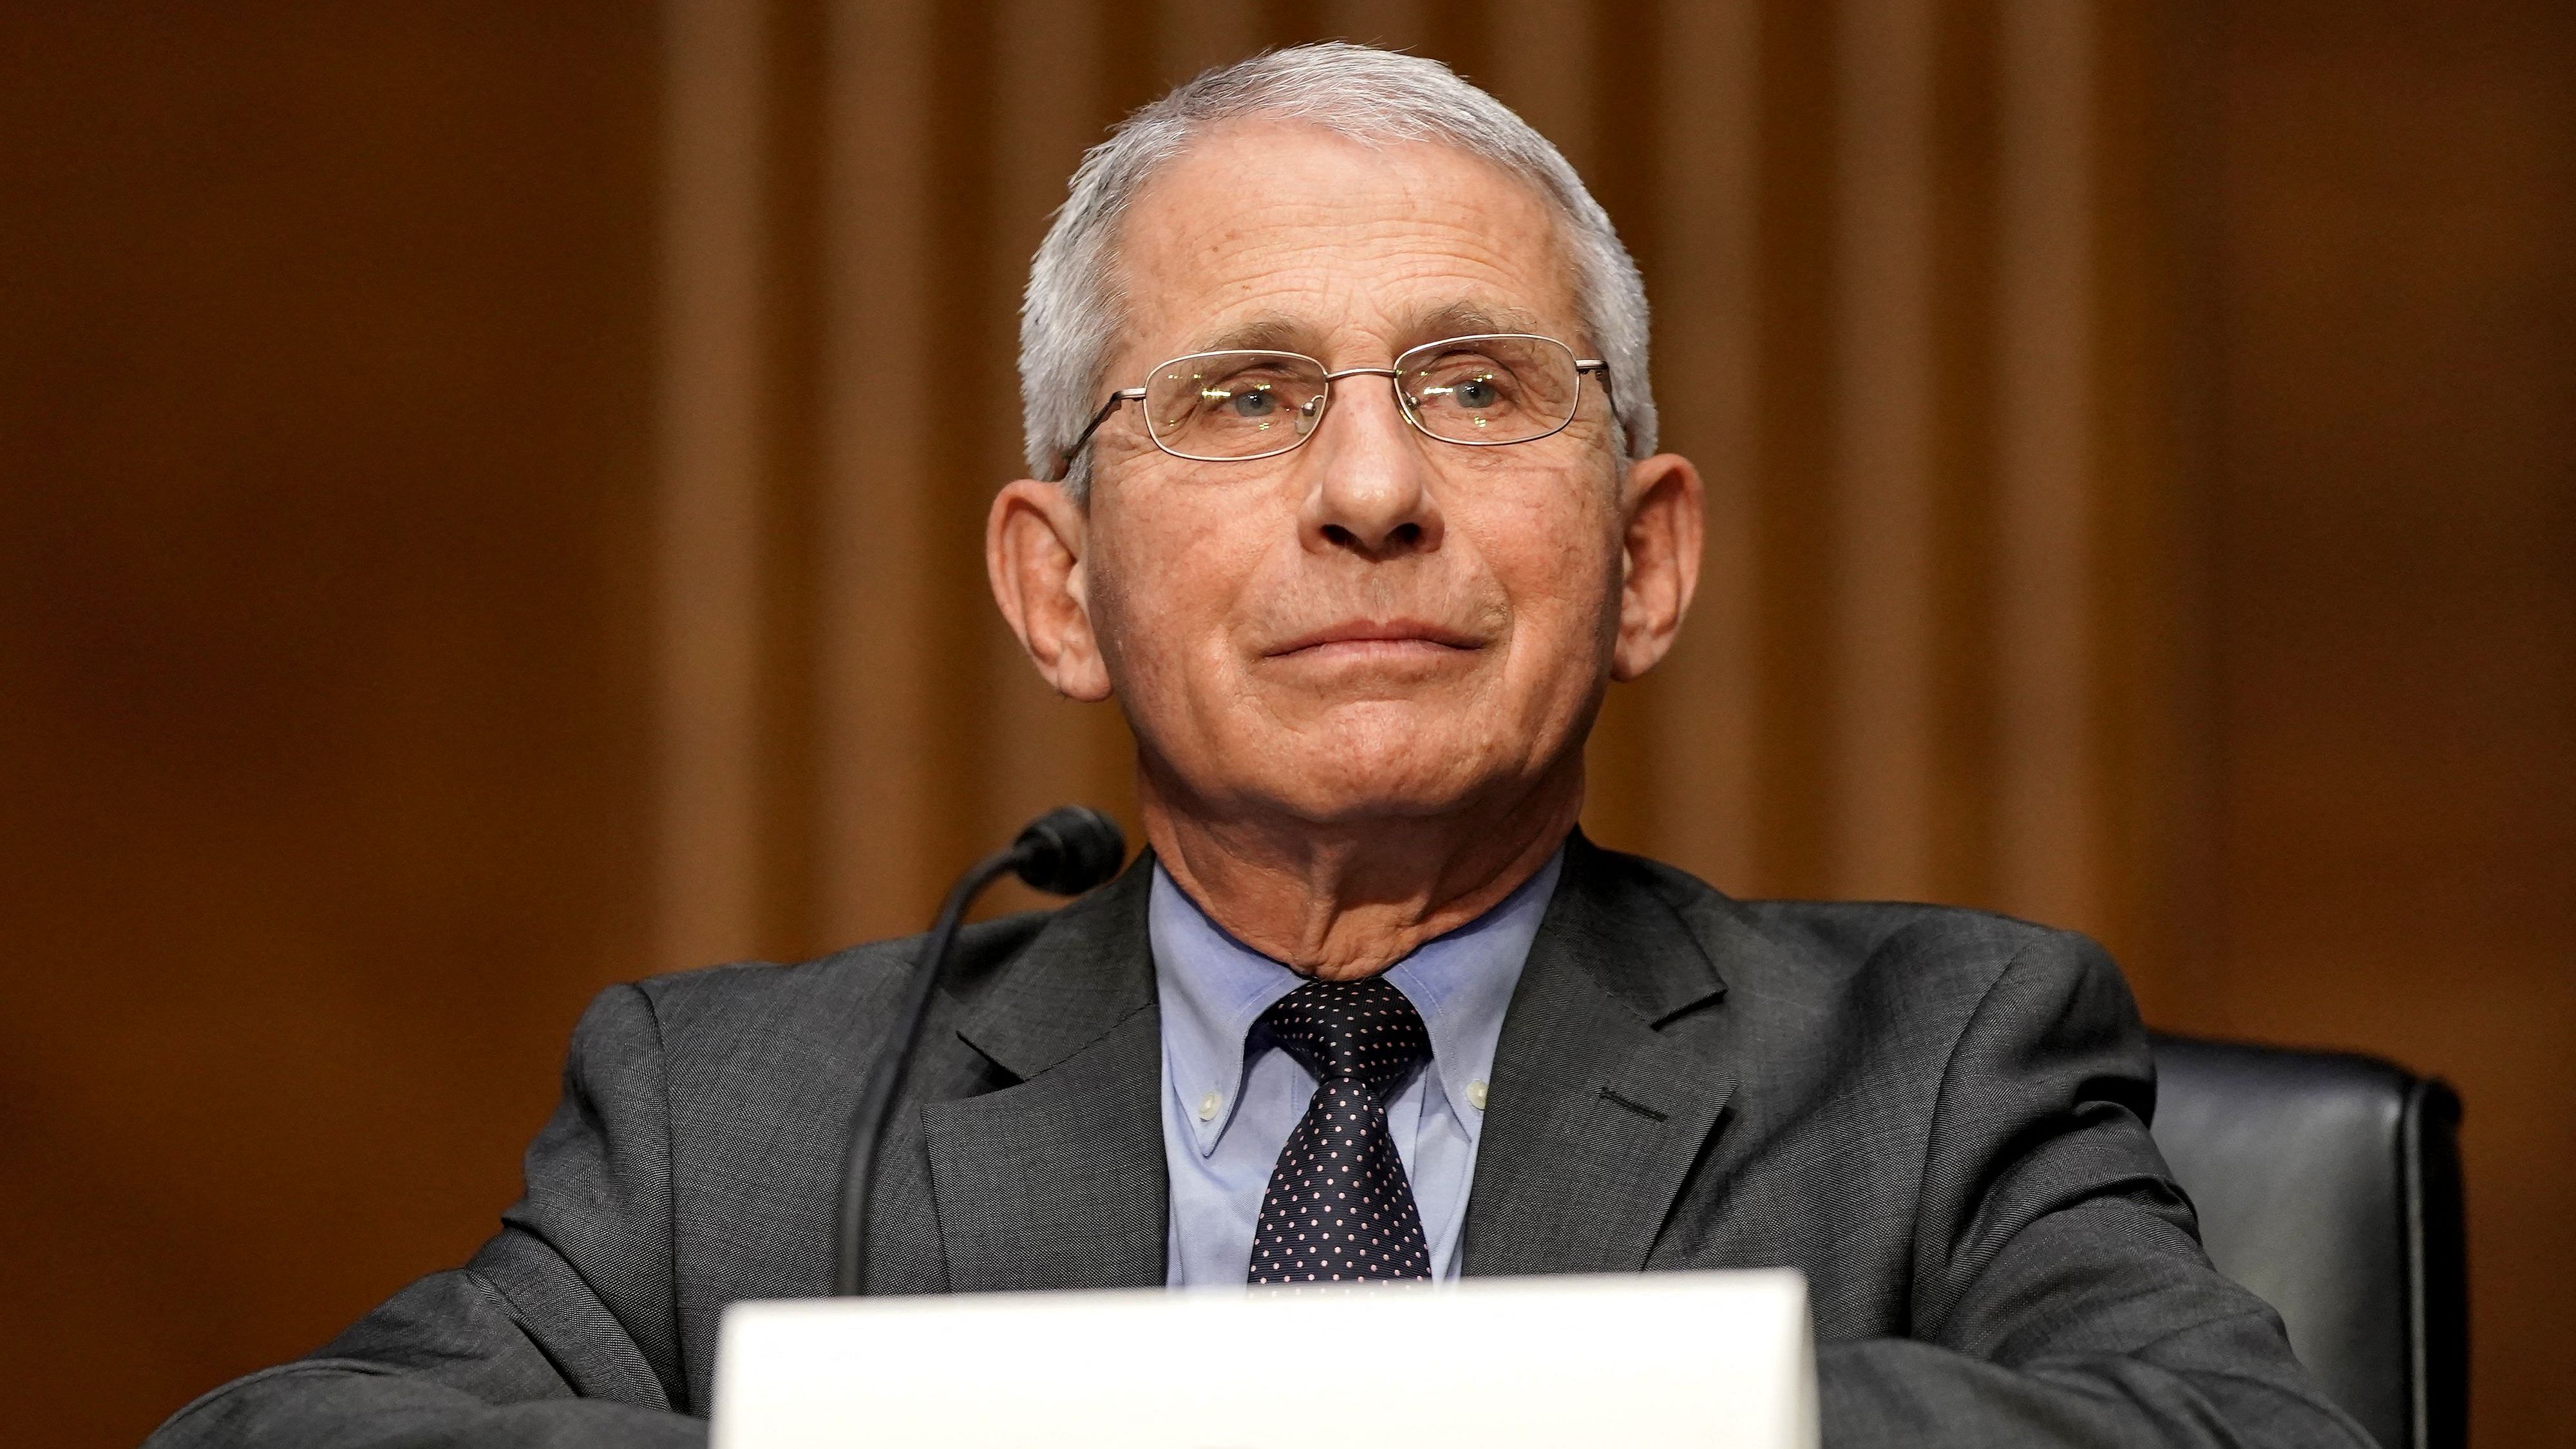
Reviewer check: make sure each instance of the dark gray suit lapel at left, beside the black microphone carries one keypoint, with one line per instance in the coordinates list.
(1060, 1182)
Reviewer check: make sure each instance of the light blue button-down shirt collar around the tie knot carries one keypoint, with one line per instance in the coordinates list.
(1215, 989)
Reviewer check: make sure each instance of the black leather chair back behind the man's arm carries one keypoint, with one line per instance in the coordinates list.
(2330, 1185)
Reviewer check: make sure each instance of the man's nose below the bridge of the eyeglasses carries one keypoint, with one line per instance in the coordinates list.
(1369, 486)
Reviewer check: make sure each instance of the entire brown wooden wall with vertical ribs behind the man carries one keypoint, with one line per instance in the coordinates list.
(488, 507)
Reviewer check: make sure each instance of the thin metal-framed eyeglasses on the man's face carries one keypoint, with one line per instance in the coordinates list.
(1240, 406)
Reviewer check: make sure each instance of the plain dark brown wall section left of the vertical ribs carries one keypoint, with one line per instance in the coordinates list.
(326, 726)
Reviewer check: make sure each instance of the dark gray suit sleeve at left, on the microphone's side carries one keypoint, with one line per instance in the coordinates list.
(558, 1334)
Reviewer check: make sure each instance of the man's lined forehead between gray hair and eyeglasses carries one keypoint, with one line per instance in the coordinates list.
(1282, 233)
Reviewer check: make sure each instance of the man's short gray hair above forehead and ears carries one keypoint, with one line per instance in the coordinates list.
(1073, 311)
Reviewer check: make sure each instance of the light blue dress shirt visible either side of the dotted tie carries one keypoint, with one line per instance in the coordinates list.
(1230, 1097)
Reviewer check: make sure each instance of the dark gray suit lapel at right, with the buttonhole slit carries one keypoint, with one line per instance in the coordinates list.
(1606, 1087)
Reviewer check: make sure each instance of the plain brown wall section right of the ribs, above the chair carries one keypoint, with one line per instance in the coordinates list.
(2389, 548)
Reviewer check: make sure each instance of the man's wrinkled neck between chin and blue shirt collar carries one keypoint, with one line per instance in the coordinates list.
(1346, 901)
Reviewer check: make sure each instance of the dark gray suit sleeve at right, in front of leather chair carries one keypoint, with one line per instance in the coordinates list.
(2060, 1285)
